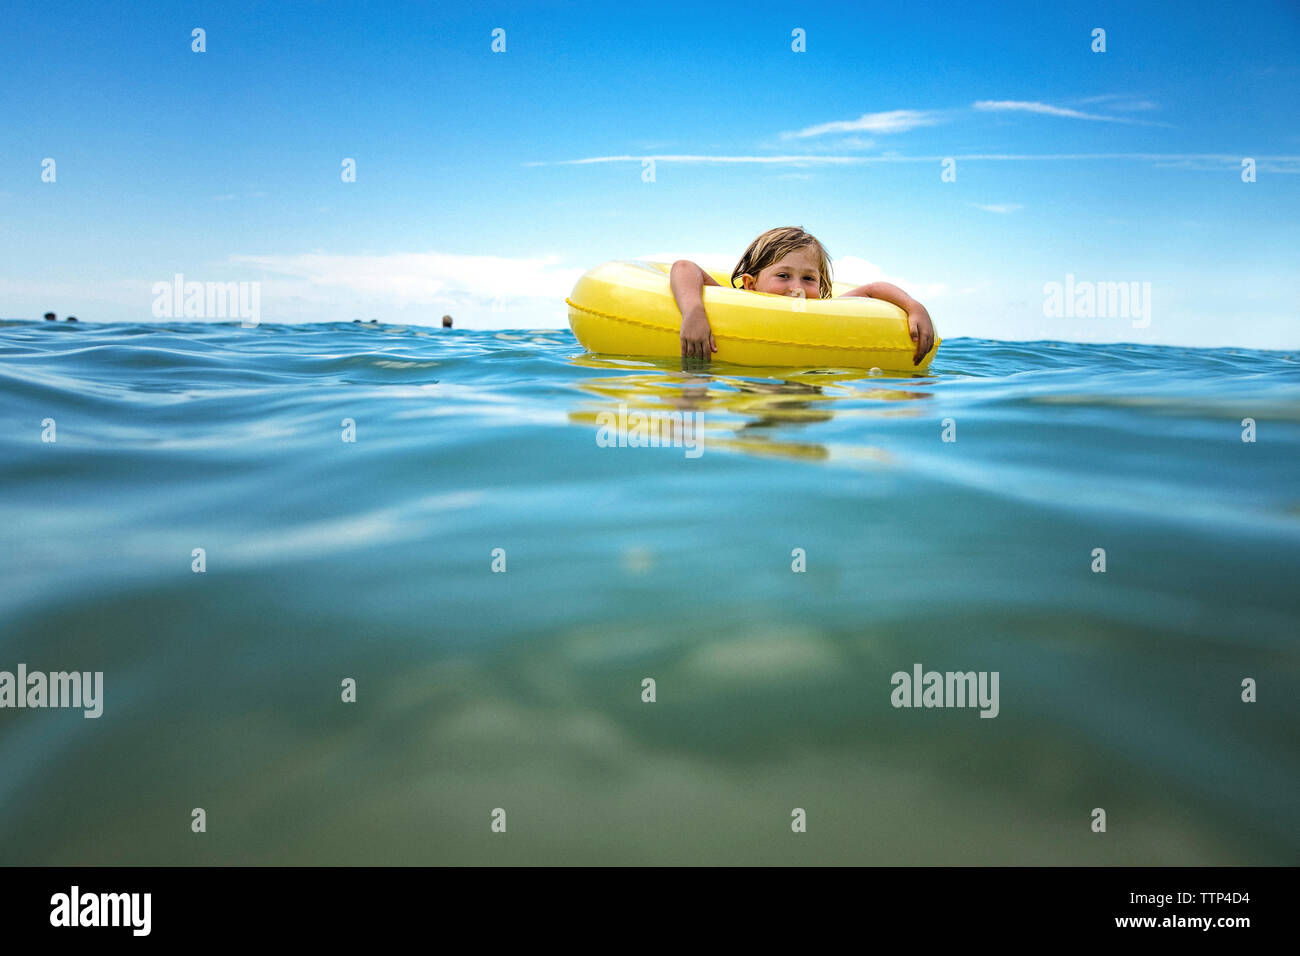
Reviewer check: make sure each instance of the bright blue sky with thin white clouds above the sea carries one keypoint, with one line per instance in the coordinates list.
(488, 181)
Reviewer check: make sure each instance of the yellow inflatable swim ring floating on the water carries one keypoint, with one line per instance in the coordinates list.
(627, 309)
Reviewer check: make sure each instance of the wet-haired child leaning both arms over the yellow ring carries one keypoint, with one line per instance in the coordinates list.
(783, 262)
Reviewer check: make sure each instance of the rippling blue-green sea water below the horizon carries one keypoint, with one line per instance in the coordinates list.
(450, 521)
